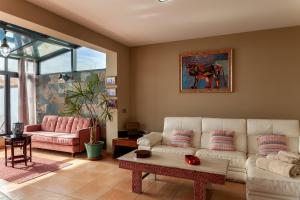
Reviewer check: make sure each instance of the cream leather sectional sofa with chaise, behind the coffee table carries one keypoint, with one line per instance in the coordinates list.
(260, 184)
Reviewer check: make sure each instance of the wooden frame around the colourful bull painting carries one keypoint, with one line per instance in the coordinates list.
(205, 53)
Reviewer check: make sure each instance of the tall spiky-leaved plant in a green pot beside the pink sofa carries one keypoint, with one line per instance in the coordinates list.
(86, 99)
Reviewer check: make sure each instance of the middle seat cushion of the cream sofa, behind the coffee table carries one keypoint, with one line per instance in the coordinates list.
(236, 159)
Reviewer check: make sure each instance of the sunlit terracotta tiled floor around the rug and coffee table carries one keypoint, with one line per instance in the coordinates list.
(87, 180)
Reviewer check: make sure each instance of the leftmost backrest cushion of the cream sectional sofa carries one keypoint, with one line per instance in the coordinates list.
(182, 123)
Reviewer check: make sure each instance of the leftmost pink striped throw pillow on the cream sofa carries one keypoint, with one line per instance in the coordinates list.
(182, 138)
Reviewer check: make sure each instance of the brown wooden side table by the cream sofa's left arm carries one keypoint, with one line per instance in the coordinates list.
(117, 143)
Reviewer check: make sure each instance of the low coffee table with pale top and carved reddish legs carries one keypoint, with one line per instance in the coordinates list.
(210, 170)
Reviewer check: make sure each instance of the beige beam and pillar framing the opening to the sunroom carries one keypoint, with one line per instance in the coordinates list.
(30, 16)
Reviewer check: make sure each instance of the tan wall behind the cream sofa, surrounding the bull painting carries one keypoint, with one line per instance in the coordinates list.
(266, 79)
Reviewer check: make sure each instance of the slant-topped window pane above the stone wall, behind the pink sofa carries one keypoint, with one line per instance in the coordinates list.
(61, 63)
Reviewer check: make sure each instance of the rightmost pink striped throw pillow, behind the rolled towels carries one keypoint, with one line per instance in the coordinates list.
(271, 144)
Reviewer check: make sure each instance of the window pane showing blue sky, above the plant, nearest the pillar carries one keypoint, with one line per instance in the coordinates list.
(89, 59)
